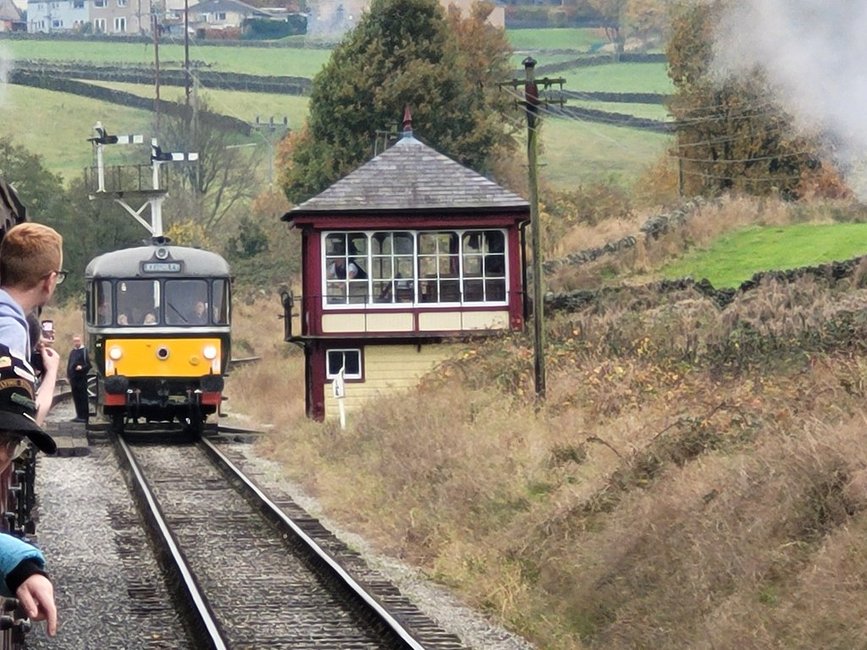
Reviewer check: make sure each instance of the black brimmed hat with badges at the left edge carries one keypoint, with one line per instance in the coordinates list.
(17, 401)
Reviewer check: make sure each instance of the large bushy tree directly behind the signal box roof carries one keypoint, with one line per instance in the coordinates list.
(404, 52)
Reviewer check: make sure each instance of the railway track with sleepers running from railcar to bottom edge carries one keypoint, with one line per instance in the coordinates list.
(249, 572)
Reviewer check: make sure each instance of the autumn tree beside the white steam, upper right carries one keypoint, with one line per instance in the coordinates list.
(731, 135)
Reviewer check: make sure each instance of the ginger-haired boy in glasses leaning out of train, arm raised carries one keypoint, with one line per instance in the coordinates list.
(31, 255)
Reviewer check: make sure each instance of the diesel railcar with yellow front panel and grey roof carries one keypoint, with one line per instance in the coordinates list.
(158, 328)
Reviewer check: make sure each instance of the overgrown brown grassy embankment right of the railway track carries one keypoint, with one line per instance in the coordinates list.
(696, 476)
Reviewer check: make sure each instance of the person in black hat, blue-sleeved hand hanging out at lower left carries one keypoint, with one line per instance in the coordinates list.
(21, 564)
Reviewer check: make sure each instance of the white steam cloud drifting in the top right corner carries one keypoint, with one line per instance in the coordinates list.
(814, 54)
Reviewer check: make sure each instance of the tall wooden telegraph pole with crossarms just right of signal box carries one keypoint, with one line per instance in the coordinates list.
(531, 105)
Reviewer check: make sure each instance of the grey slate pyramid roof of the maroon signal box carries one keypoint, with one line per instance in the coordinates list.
(410, 177)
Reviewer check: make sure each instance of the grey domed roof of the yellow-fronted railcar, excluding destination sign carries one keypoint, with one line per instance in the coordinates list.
(127, 262)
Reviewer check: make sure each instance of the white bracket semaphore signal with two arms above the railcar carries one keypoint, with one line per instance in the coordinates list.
(122, 182)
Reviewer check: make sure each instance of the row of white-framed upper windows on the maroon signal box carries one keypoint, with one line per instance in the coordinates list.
(426, 268)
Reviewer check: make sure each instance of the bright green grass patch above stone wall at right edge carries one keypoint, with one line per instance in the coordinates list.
(735, 257)
